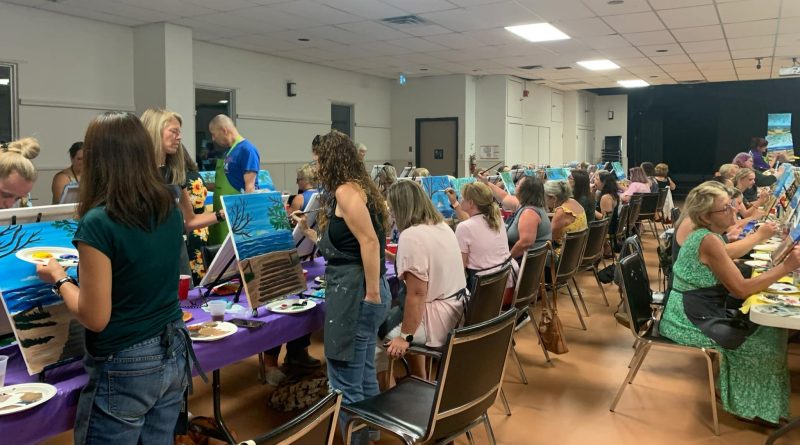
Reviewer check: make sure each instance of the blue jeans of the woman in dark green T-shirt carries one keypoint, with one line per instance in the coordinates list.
(134, 396)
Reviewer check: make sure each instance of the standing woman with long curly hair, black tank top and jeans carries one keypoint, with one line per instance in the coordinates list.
(352, 228)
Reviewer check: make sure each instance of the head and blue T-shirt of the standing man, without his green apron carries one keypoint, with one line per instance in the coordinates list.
(242, 160)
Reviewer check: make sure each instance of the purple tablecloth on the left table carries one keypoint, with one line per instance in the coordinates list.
(58, 414)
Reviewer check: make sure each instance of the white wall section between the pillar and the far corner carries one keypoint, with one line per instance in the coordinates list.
(282, 127)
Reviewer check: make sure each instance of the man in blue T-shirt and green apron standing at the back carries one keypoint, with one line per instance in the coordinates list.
(236, 173)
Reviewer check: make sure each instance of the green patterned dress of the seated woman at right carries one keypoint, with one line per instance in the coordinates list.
(753, 378)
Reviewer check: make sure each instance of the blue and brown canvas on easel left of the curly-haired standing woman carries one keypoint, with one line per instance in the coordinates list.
(262, 239)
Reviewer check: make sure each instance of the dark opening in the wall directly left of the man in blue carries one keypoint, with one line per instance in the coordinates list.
(209, 102)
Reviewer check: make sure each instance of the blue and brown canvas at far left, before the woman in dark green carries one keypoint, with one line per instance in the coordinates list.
(46, 331)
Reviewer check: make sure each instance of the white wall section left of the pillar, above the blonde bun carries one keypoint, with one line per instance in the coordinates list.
(69, 70)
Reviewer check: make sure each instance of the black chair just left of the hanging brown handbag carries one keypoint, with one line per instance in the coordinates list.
(529, 283)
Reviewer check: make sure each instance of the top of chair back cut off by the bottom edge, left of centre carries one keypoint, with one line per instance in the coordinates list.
(315, 426)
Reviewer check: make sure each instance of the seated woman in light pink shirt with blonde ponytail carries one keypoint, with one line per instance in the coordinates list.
(482, 236)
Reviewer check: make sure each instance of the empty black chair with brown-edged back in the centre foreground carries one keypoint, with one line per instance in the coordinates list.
(468, 381)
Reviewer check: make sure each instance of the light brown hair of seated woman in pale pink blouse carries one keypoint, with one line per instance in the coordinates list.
(411, 205)
